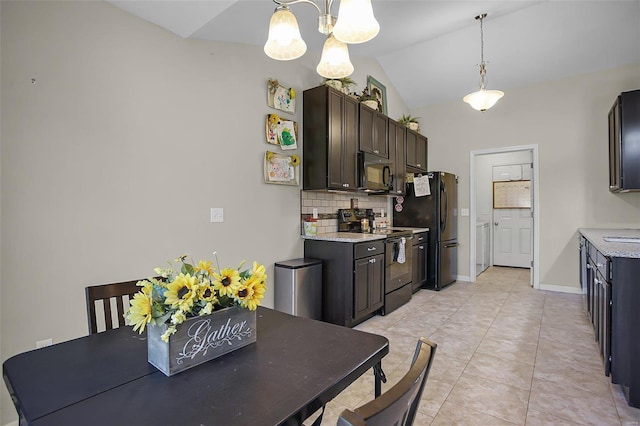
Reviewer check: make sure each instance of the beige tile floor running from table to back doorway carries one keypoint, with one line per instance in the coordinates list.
(507, 355)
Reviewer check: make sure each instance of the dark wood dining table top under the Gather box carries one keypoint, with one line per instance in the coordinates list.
(295, 366)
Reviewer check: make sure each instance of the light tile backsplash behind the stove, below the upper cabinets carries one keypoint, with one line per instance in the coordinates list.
(328, 204)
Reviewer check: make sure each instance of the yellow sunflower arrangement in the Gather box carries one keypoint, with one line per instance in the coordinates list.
(196, 290)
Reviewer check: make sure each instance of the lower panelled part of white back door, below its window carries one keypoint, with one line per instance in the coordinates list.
(512, 241)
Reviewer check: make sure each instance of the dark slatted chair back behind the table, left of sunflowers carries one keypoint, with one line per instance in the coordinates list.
(106, 293)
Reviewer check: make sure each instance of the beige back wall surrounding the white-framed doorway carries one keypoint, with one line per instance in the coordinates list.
(567, 119)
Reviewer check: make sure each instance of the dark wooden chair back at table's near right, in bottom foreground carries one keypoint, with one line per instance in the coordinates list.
(398, 405)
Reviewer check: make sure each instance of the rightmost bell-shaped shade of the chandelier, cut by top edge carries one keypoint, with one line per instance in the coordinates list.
(356, 23)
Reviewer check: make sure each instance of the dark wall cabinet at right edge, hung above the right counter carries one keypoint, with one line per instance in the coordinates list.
(624, 143)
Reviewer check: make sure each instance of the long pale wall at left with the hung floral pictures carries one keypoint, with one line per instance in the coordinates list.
(112, 160)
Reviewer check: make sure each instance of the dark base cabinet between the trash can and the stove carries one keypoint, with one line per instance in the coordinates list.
(352, 279)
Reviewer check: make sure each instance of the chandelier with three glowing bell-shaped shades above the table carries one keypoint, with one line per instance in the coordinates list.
(355, 24)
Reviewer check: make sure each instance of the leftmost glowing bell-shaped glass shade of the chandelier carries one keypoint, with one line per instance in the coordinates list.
(285, 42)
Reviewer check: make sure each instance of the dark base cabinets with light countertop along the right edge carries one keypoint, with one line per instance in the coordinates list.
(609, 271)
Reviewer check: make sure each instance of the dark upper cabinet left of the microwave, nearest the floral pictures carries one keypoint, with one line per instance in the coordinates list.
(330, 135)
